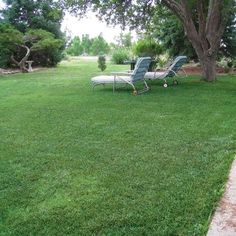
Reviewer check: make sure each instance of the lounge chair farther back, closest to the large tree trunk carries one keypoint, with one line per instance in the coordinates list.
(171, 71)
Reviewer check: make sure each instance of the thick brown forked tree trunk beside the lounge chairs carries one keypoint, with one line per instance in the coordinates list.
(205, 35)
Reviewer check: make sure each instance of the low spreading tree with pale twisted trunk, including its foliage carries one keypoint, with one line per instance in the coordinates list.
(18, 47)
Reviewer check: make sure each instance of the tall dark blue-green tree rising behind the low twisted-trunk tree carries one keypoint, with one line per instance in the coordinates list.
(39, 14)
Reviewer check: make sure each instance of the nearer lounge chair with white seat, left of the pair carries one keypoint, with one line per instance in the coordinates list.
(130, 78)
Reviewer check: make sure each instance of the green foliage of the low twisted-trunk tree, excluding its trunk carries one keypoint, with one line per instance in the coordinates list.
(46, 50)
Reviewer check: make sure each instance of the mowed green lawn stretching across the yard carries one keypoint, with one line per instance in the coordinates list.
(74, 161)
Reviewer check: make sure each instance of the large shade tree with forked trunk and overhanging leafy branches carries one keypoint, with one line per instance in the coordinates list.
(204, 21)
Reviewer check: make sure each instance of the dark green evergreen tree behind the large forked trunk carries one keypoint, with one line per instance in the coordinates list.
(167, 28)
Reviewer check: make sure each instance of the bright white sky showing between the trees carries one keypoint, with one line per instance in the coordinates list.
(88, 25)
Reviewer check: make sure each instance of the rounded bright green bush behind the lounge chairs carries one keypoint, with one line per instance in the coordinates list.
(147, 47)
